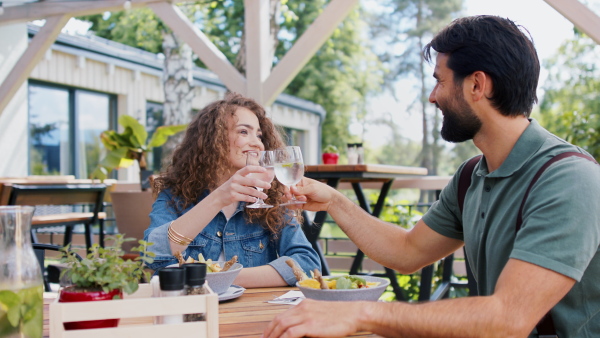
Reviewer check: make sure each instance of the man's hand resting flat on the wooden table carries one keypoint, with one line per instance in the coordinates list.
(316, 319)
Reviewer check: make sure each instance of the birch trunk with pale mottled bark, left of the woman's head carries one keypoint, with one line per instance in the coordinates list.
(178, 86)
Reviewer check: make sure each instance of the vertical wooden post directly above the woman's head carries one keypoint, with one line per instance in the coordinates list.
(258, 46)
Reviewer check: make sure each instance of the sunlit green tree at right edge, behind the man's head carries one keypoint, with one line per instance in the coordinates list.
(571, 105)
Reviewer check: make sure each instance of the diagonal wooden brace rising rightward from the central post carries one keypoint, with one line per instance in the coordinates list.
(306, 46)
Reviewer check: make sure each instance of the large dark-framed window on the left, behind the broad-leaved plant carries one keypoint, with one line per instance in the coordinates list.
(65, 126)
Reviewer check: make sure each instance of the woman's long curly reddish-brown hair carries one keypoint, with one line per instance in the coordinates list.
(200, 159)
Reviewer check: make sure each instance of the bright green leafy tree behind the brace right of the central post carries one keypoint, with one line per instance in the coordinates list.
(340, 76)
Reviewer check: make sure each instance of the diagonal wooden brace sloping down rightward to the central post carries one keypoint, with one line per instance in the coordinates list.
(214, 59)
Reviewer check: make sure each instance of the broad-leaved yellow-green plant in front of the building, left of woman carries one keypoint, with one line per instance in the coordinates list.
(131, 145)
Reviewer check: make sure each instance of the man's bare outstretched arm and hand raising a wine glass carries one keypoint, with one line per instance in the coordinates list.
(388, 244)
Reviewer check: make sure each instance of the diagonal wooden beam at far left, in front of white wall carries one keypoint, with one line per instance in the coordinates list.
(30, 58)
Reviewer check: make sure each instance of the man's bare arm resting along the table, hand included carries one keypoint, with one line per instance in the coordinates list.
(524, 293)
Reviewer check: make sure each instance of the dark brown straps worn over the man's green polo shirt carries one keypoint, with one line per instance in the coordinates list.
(545, 327)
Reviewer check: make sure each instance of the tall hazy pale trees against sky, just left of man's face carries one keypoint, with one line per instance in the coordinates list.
(403, 27)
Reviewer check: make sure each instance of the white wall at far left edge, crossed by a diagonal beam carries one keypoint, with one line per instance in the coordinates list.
(13, 120)
